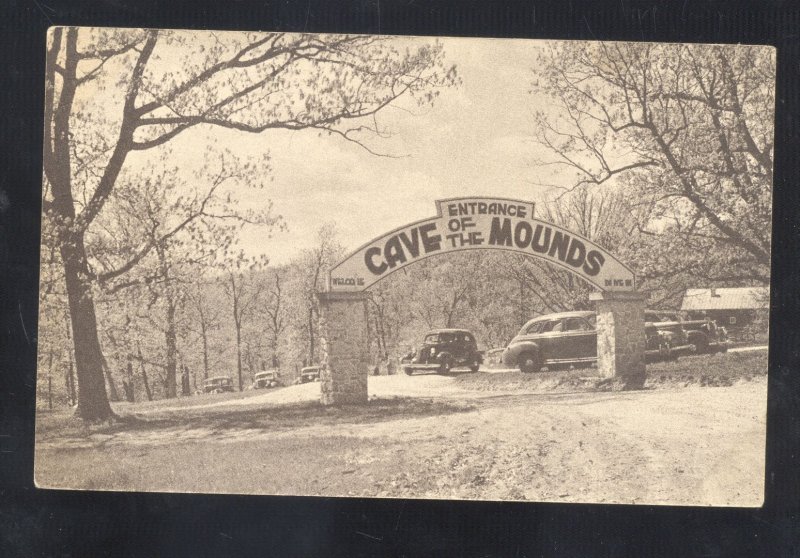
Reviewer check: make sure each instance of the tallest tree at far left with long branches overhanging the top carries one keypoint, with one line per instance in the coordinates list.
(115, 95)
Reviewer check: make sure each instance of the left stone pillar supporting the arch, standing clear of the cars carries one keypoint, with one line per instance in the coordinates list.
(344, 343)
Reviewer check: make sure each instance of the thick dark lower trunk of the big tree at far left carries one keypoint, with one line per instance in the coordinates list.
(92, 397)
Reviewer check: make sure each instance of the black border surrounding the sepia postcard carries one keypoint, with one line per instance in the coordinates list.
(47, 523)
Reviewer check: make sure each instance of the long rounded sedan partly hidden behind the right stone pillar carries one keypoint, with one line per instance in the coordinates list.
(569, 338)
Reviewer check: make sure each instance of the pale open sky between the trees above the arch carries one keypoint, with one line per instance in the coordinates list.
(474, 140)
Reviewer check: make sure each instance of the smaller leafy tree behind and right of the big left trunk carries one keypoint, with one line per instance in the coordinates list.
(186, 226)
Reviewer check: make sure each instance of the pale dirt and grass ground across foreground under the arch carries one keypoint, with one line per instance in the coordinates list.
(427, 436)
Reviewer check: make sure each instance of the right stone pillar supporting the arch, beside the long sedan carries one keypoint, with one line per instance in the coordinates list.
(621, 337)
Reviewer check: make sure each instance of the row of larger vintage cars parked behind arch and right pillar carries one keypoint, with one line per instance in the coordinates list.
(562, 339)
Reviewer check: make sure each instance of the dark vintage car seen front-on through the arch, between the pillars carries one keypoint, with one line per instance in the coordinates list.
(444, 349)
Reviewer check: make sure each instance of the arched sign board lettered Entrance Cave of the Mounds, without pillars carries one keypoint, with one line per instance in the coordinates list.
(479, 223)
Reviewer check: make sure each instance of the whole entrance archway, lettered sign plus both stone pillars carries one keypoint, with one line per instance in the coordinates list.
(475, 223)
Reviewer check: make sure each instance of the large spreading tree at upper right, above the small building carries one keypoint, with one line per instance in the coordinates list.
(686, 130)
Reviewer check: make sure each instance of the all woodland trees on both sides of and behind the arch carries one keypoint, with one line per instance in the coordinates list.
(665, 150)
